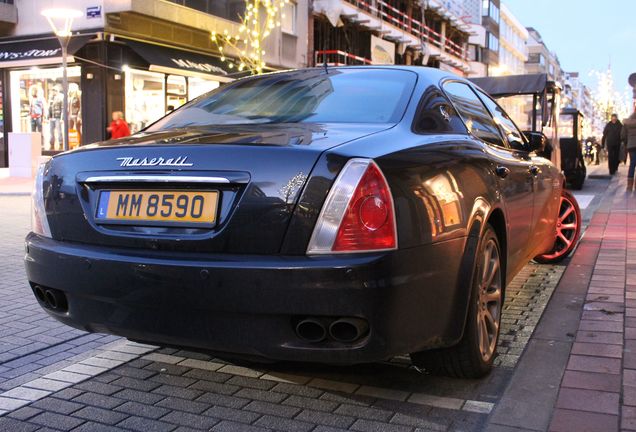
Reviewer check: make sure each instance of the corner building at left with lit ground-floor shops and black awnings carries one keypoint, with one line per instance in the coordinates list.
(142, 57)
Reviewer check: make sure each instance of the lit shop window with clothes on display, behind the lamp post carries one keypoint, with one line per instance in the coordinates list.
(38, 101)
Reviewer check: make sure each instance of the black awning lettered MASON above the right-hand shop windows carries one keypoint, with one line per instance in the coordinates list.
(174, 61)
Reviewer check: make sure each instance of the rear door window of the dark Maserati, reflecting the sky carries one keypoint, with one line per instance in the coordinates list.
(475, 115)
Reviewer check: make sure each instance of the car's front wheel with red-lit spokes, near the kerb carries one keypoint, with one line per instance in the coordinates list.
(567, 230)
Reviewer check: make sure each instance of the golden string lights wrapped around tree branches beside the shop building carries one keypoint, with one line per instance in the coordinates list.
(257, 23)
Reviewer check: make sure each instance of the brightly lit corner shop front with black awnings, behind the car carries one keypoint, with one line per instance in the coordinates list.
(143, 80)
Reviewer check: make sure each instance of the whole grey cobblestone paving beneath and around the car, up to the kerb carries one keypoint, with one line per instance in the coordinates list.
(56, 378)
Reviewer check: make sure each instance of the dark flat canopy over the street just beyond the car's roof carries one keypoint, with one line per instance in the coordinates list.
(515, 84)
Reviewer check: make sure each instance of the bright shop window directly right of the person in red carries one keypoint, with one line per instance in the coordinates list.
(145, 98)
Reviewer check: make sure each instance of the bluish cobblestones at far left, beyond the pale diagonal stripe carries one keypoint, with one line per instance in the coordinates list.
(31, 343)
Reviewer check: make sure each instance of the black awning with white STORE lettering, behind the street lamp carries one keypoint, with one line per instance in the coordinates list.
(36, 52)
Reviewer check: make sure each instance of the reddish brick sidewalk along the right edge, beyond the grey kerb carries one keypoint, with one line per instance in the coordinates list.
(598, 388)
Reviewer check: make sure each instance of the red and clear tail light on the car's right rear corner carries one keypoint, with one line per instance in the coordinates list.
(358, 214)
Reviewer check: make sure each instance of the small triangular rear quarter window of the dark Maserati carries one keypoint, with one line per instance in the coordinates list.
(436, 115)
